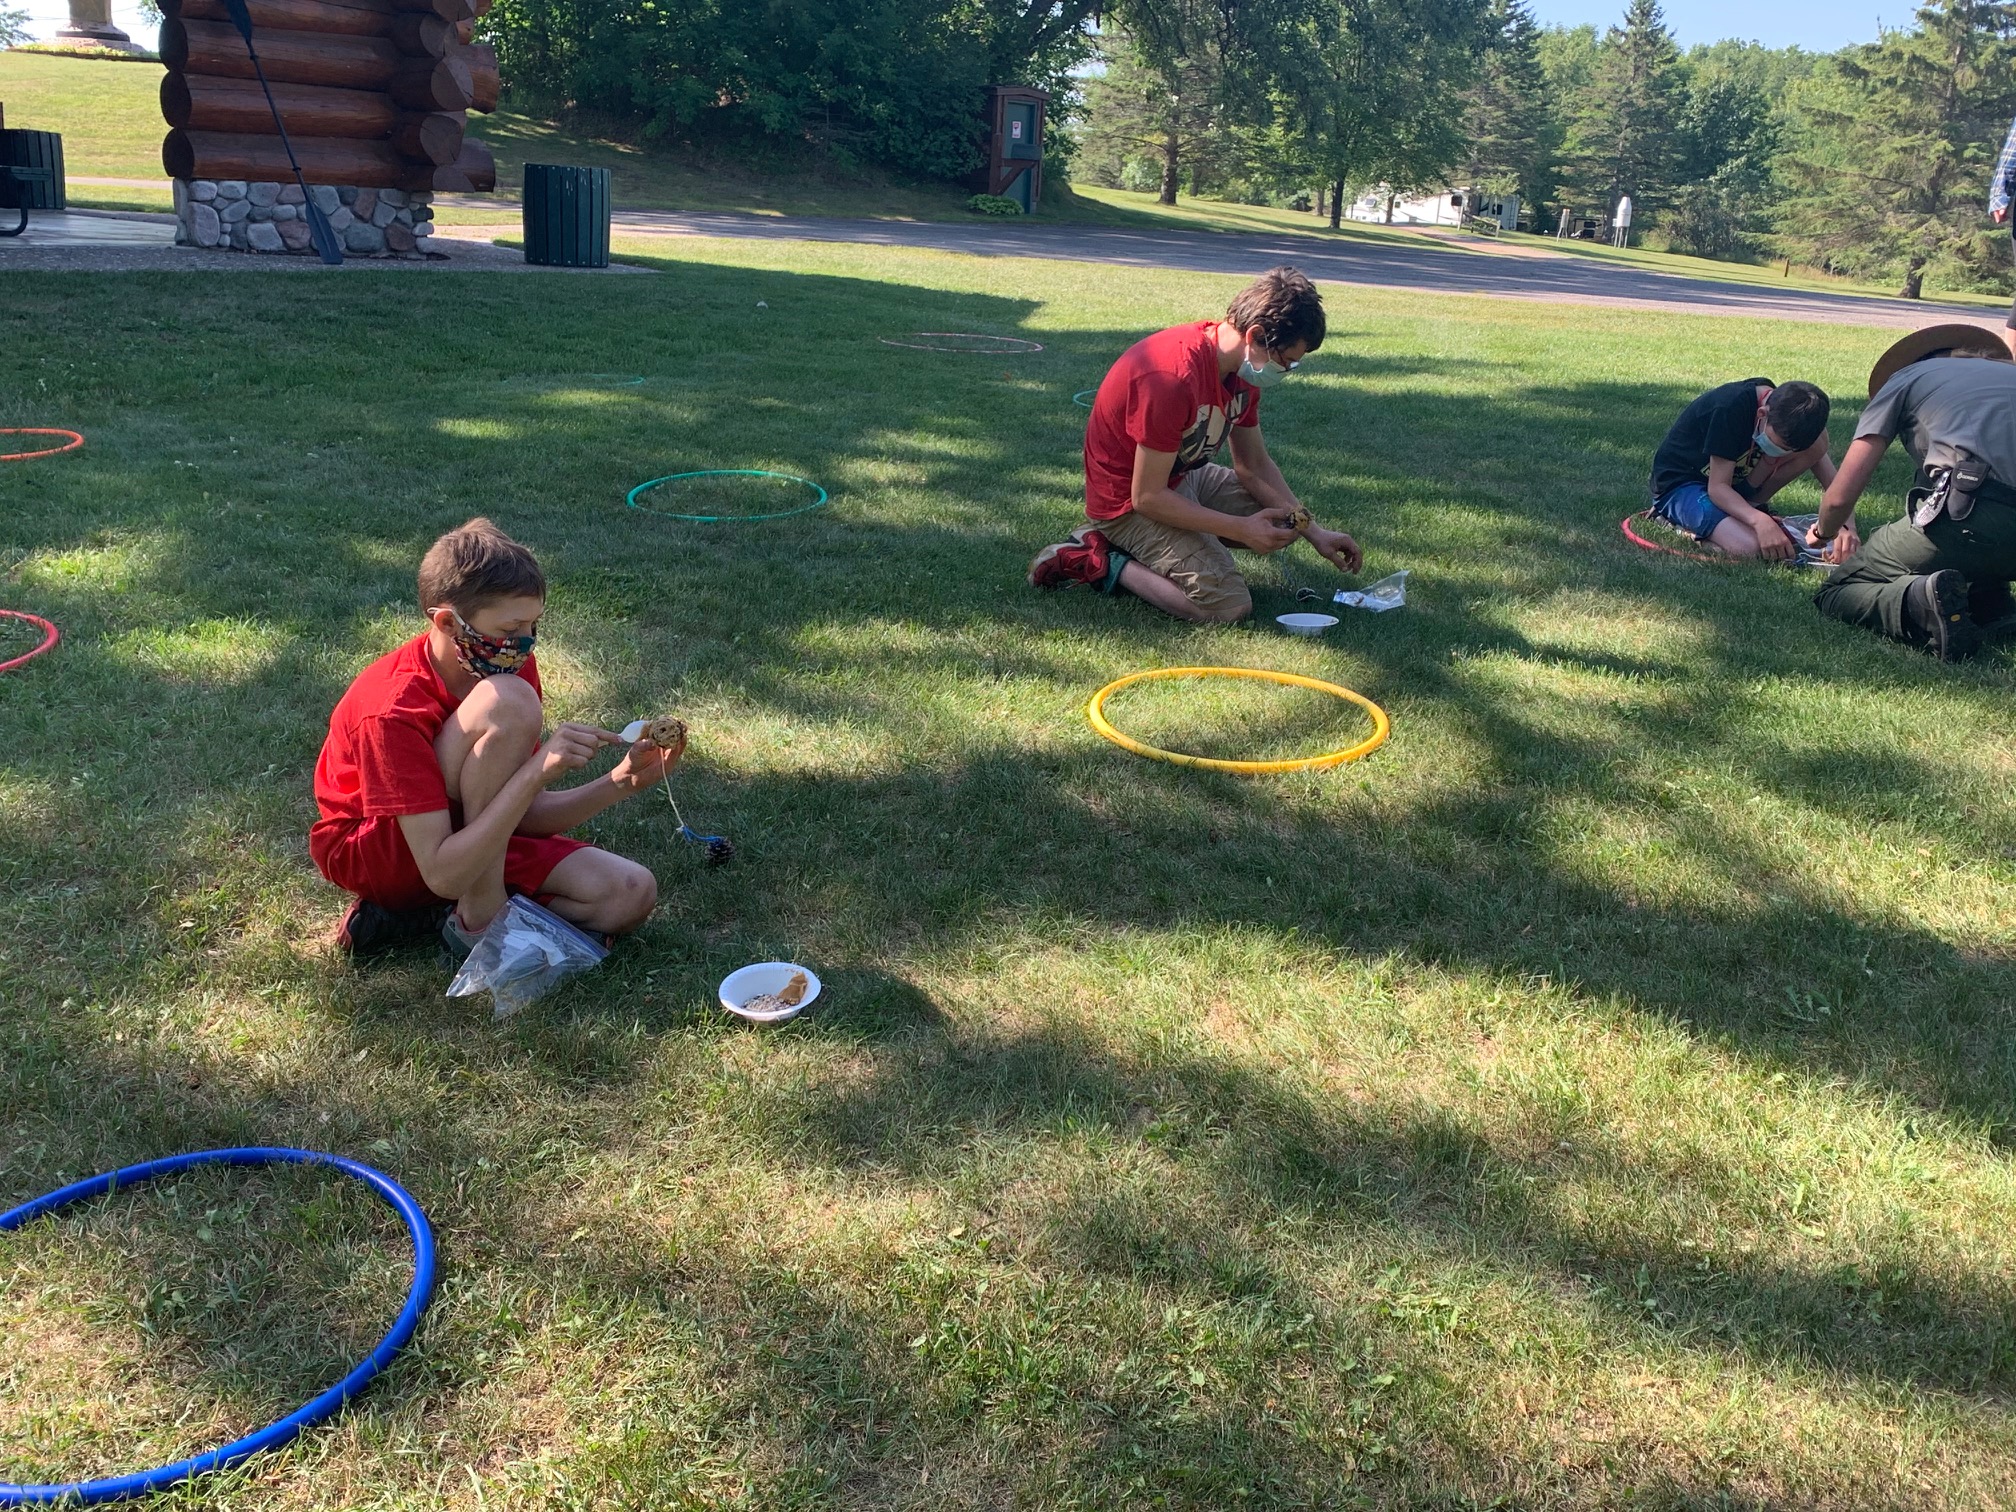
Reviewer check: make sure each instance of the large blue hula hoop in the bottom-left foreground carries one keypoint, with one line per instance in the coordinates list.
(326, 1406)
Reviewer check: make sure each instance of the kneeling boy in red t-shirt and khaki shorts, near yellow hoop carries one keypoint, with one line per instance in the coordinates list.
(1164, 513)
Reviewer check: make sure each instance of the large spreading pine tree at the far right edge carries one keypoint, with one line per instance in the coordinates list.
(1898, 144)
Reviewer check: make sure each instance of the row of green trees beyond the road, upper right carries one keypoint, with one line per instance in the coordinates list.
(1870, 162)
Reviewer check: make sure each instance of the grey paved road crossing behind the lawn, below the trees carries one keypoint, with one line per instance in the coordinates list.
(1346, 261)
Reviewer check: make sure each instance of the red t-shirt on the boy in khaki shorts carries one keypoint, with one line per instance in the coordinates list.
(1162, 394)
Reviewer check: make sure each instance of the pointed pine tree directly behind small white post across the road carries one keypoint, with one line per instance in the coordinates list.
(1624, 136)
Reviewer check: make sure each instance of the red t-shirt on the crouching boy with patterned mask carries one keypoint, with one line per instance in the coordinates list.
(380, 753)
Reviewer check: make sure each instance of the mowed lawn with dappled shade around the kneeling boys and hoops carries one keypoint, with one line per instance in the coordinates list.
(1598, 1098)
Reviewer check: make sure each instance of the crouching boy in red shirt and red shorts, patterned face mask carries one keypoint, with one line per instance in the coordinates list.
(434, 781)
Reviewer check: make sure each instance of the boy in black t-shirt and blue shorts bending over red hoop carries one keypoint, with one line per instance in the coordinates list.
(1729, 453)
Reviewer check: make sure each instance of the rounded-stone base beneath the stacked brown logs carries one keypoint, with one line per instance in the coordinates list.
(237, 217)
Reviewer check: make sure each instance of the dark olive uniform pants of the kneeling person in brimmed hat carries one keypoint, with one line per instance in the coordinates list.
(1870, 588)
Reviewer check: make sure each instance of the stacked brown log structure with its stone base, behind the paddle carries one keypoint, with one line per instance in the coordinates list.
(376, 98)
